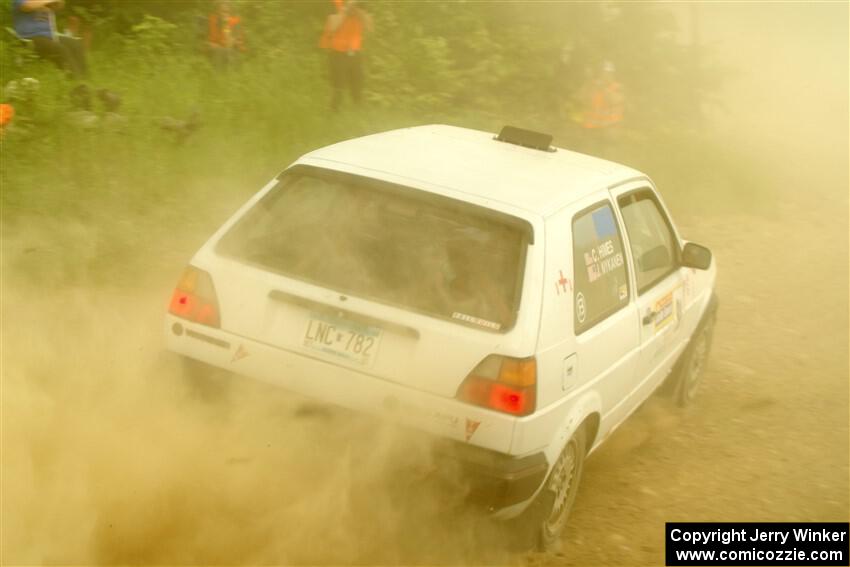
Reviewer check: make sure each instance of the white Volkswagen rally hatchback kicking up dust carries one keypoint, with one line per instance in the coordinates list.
(516, 300)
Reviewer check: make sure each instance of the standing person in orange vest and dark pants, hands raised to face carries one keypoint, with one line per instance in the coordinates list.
(343, 38)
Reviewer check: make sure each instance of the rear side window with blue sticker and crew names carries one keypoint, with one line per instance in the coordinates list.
(599, 268)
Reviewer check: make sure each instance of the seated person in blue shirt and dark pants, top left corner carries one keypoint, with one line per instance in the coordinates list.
(35, 20)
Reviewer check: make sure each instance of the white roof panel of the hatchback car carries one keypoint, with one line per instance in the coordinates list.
(474, 163)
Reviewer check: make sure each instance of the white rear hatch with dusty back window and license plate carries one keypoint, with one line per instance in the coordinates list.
(402, 284)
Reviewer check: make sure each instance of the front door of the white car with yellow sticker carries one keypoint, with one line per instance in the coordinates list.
(655, 260)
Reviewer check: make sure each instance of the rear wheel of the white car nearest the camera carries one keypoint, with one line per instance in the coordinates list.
(559, 492)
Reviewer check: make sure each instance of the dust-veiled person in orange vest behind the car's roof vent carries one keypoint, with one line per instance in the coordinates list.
(603, 113)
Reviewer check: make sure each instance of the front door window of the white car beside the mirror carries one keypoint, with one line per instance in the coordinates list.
(654, 247)
